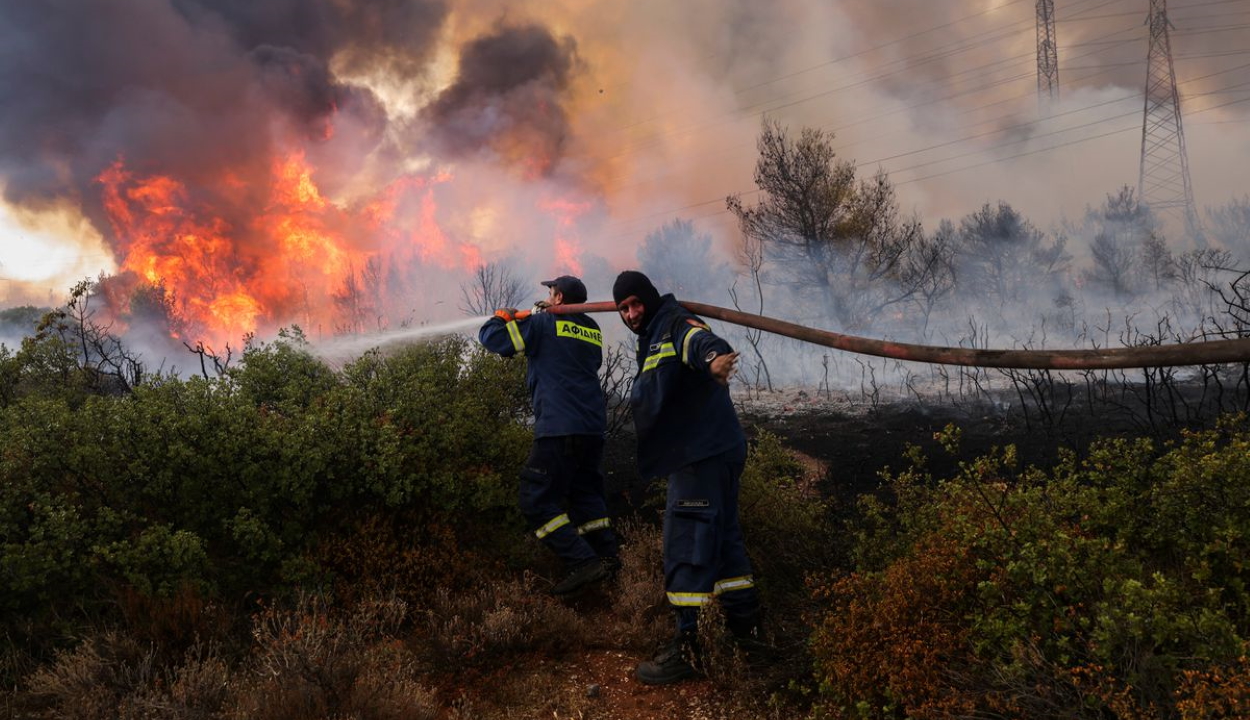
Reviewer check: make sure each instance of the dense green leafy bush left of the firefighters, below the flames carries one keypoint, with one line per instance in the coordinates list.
(233, 487)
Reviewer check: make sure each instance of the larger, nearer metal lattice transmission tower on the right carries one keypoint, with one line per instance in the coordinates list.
(1163, 182)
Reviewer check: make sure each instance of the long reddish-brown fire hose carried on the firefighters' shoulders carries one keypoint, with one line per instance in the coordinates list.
(1204, 353)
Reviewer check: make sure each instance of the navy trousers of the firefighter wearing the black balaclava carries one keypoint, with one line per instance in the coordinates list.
(704, 554)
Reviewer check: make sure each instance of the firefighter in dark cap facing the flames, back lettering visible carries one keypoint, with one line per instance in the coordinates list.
(562, 488)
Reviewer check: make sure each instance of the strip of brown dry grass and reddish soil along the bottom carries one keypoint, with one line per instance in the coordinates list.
(503, 649)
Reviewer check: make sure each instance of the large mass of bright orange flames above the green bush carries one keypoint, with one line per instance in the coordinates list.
(236, 268)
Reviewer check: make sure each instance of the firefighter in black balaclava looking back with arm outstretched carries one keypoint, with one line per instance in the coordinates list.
(689, 434)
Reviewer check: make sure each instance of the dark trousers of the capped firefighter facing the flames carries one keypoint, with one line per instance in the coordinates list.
(562, 497)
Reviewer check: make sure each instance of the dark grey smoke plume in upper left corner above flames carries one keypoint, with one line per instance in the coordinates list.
(187, 88)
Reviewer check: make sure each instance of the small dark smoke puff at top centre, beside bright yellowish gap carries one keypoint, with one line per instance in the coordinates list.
(508, 97)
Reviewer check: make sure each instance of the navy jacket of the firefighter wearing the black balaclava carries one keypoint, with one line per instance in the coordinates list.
(681, 413)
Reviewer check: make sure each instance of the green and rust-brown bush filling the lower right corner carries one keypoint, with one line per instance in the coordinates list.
(1109, 584)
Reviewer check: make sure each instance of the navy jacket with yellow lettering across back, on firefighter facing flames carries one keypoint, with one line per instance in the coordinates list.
(564, 356)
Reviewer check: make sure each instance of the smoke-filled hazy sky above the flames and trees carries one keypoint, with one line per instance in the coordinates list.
(648, 109)
